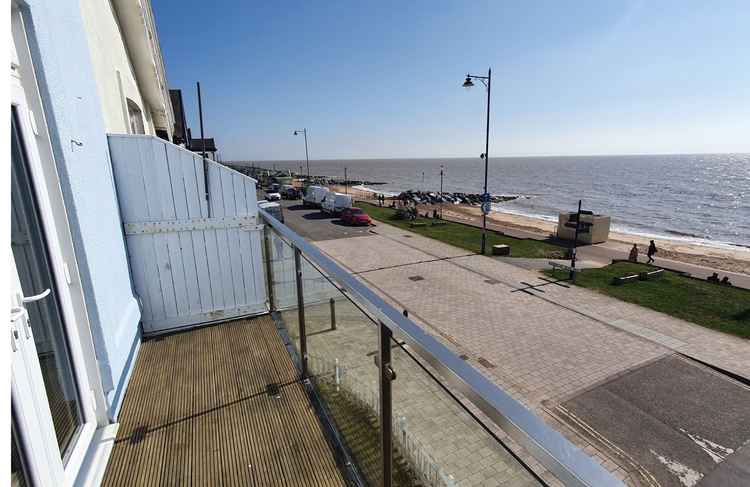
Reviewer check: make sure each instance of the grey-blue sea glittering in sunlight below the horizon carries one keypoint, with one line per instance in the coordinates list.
(696, 198)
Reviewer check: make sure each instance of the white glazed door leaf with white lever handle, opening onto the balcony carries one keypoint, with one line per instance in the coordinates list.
(55, 416)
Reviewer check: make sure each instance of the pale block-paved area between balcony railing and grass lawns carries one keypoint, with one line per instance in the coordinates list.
(543, 346)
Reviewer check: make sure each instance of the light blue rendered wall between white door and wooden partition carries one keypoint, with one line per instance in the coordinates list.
(60, 52)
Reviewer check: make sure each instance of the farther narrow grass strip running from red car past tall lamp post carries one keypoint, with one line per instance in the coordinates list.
(467, 237)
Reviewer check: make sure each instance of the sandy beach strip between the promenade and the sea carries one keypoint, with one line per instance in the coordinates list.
(720, 258)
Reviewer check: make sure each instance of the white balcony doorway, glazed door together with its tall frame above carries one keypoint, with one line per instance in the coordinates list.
(53, 419)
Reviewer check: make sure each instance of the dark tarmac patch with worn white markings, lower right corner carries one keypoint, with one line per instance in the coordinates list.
(679, 420)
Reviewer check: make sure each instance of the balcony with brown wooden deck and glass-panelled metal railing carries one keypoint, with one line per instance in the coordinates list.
(333, 387)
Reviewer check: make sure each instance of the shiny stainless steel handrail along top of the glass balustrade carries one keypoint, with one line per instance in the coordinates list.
(550, 448)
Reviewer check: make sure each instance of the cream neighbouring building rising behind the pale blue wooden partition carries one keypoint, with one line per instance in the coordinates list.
(128, 67)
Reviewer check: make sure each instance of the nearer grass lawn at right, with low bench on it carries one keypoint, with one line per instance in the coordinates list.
(722, 308)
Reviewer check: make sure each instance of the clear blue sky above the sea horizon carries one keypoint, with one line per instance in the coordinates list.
(382, 79)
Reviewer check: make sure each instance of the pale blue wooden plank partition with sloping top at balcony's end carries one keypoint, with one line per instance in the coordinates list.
(188, 267)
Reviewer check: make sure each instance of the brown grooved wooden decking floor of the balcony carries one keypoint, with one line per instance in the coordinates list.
(197, 413)
